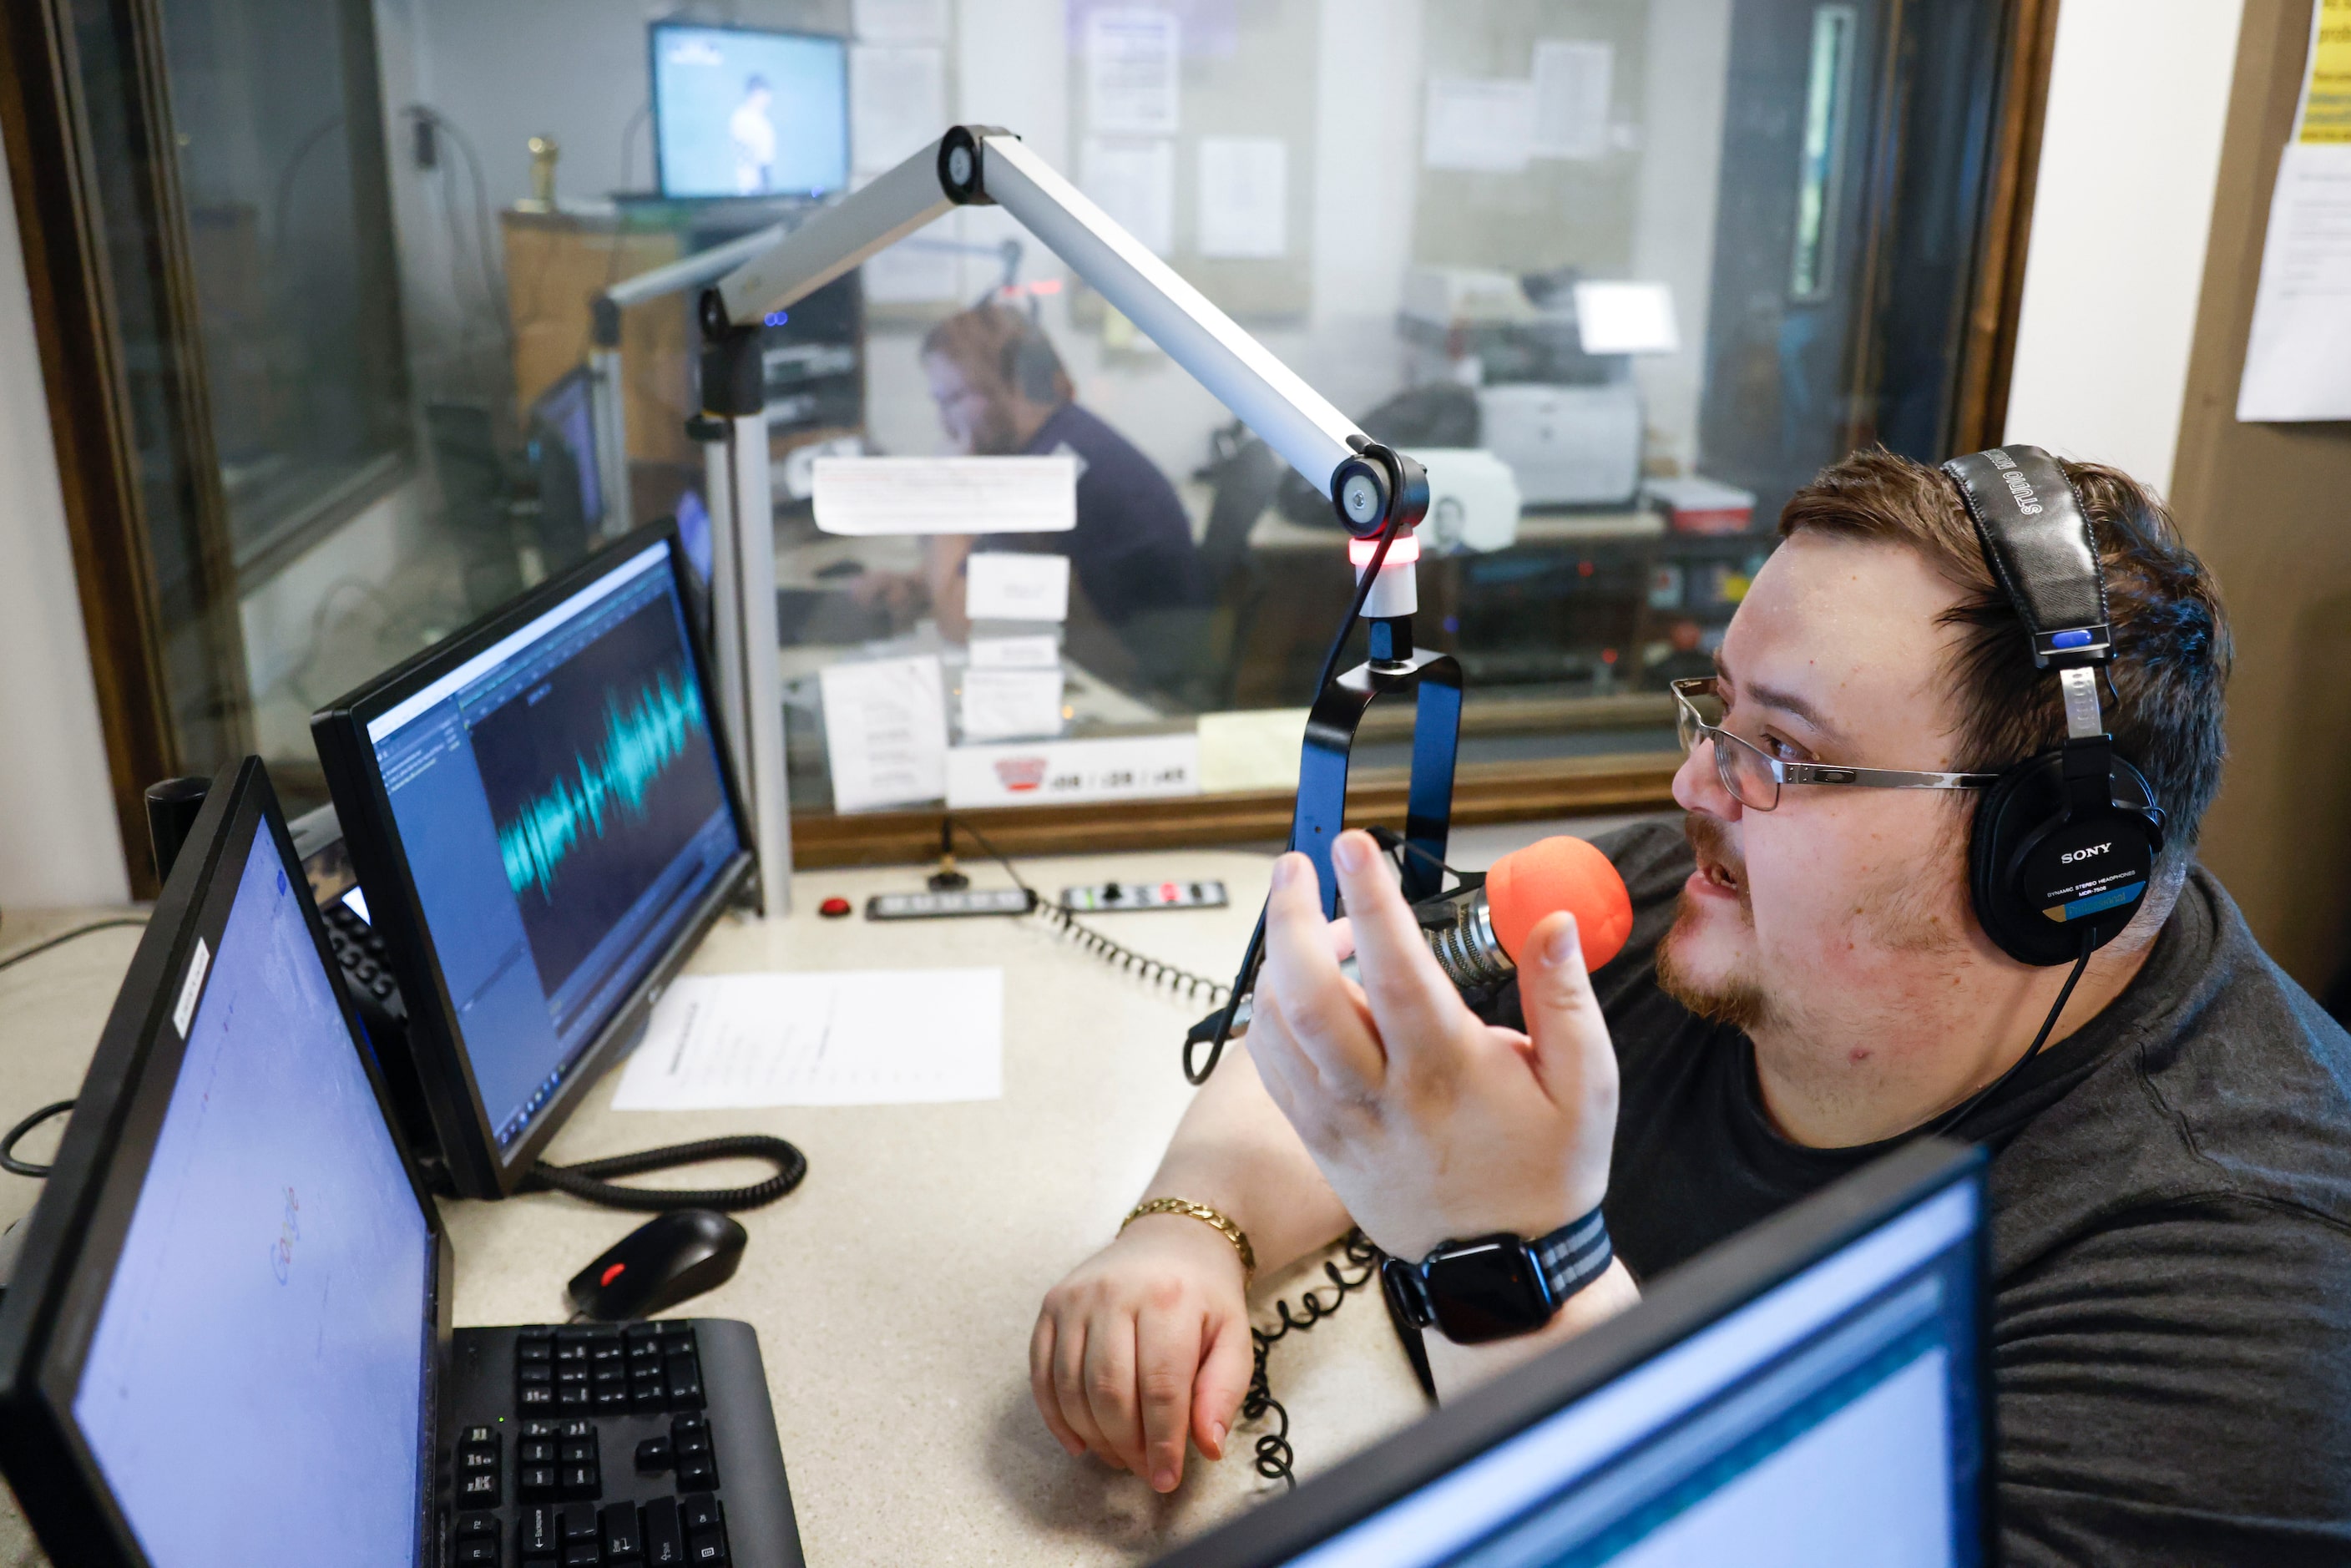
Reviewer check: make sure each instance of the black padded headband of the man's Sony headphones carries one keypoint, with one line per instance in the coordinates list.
(2039, 547)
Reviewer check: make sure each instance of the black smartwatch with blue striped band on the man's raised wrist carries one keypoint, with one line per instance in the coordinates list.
(1499, 1287)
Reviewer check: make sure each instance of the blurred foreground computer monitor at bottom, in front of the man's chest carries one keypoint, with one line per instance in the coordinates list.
(1811, 1393)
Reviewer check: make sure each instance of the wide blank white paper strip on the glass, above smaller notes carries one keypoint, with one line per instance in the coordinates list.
(866, 497)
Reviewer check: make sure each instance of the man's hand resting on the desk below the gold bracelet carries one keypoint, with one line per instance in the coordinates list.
(1146, 1343)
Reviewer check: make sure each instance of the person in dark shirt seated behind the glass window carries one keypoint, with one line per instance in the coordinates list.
(1139, 589)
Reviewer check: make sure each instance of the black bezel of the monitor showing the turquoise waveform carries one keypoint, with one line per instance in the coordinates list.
(462, 1125)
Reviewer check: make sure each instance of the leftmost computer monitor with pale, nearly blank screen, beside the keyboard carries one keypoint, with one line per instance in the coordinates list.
(220, 1341)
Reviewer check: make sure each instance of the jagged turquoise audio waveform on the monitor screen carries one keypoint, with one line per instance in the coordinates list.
(643, 737)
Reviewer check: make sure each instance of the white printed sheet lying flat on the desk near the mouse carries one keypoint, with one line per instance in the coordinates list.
(852, 1038)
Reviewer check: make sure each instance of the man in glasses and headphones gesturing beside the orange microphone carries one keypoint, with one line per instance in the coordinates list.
(1936, 873)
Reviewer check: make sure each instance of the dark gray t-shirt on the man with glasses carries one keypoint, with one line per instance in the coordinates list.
(2171, 1235)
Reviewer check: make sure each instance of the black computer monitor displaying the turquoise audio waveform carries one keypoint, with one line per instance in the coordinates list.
(544, 822)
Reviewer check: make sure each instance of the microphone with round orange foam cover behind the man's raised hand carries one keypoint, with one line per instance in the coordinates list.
(1478, 934)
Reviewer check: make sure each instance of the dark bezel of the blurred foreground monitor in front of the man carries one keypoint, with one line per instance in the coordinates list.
(1682, 1304)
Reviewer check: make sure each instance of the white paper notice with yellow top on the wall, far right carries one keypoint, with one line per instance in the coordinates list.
(2298, 359)
